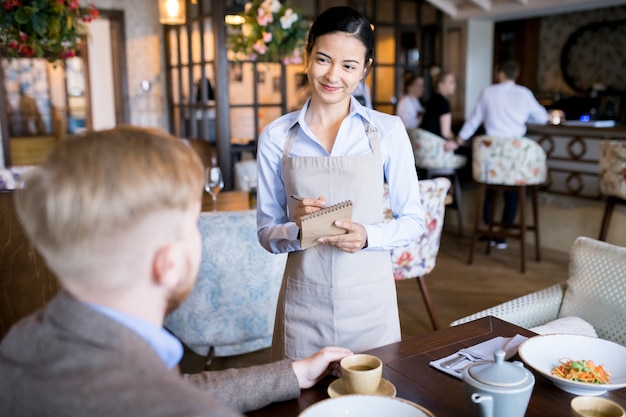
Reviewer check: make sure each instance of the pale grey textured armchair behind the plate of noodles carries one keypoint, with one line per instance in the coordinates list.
(594, 292)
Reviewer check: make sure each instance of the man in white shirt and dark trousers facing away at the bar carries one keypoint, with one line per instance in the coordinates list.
(504, 109)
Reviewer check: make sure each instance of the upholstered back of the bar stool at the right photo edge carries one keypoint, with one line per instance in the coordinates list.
(612, 161)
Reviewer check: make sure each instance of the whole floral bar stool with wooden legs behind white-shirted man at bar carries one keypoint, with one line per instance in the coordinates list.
(514, 165)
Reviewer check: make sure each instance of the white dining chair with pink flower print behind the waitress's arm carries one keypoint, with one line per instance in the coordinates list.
(417, 259)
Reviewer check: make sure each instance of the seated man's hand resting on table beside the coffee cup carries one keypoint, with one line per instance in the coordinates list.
(322, 363)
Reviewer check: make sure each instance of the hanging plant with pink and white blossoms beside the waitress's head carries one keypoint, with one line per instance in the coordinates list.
(268, 30)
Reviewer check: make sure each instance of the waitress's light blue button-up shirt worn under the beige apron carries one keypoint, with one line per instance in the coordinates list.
(278, 235)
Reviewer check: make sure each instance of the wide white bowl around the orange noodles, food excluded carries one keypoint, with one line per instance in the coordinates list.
(543, 353)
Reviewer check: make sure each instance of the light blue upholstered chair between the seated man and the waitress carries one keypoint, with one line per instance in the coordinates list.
(233, 304)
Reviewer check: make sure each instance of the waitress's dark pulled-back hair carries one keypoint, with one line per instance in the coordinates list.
(342, 19)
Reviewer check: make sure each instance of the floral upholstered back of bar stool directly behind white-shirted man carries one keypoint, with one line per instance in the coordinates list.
(508, 161)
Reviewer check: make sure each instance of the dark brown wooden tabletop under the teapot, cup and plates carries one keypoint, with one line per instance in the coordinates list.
(406, 366)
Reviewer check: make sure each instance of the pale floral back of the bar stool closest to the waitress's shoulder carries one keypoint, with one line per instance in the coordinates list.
(430, 153)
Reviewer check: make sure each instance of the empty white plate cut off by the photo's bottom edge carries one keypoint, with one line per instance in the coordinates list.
(365, 406)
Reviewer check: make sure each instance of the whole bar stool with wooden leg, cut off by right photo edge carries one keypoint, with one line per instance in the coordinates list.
(612, 161)
